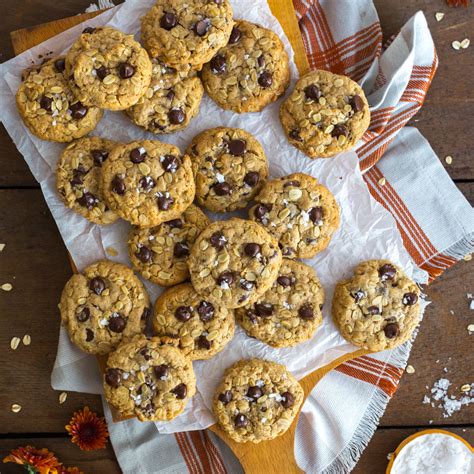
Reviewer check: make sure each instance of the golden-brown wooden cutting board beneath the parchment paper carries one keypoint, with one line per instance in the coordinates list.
(269, 456)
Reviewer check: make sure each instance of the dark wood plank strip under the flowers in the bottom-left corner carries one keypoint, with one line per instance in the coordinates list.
(92, 462)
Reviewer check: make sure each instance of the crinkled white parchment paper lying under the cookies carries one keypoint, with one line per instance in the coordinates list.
(367, 229)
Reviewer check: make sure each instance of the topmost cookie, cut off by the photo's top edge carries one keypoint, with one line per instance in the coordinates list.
(187, 32)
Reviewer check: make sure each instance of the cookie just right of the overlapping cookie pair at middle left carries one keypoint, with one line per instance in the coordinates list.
(229, 167)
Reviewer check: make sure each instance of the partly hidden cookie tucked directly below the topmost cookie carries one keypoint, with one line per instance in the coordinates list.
(171, 100)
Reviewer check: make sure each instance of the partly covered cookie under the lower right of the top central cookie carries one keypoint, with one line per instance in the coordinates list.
(290, 311)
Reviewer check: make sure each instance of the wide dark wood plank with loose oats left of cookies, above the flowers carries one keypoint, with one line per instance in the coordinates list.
(35, 262)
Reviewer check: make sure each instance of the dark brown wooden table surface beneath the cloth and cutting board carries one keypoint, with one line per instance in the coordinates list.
(35, 262)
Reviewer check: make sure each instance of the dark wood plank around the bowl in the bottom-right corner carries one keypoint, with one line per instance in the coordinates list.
(374, 459)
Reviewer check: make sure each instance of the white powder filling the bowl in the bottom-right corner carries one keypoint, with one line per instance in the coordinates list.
(434, 453)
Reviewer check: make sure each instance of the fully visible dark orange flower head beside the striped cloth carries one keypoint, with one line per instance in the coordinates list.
(88, 430)
